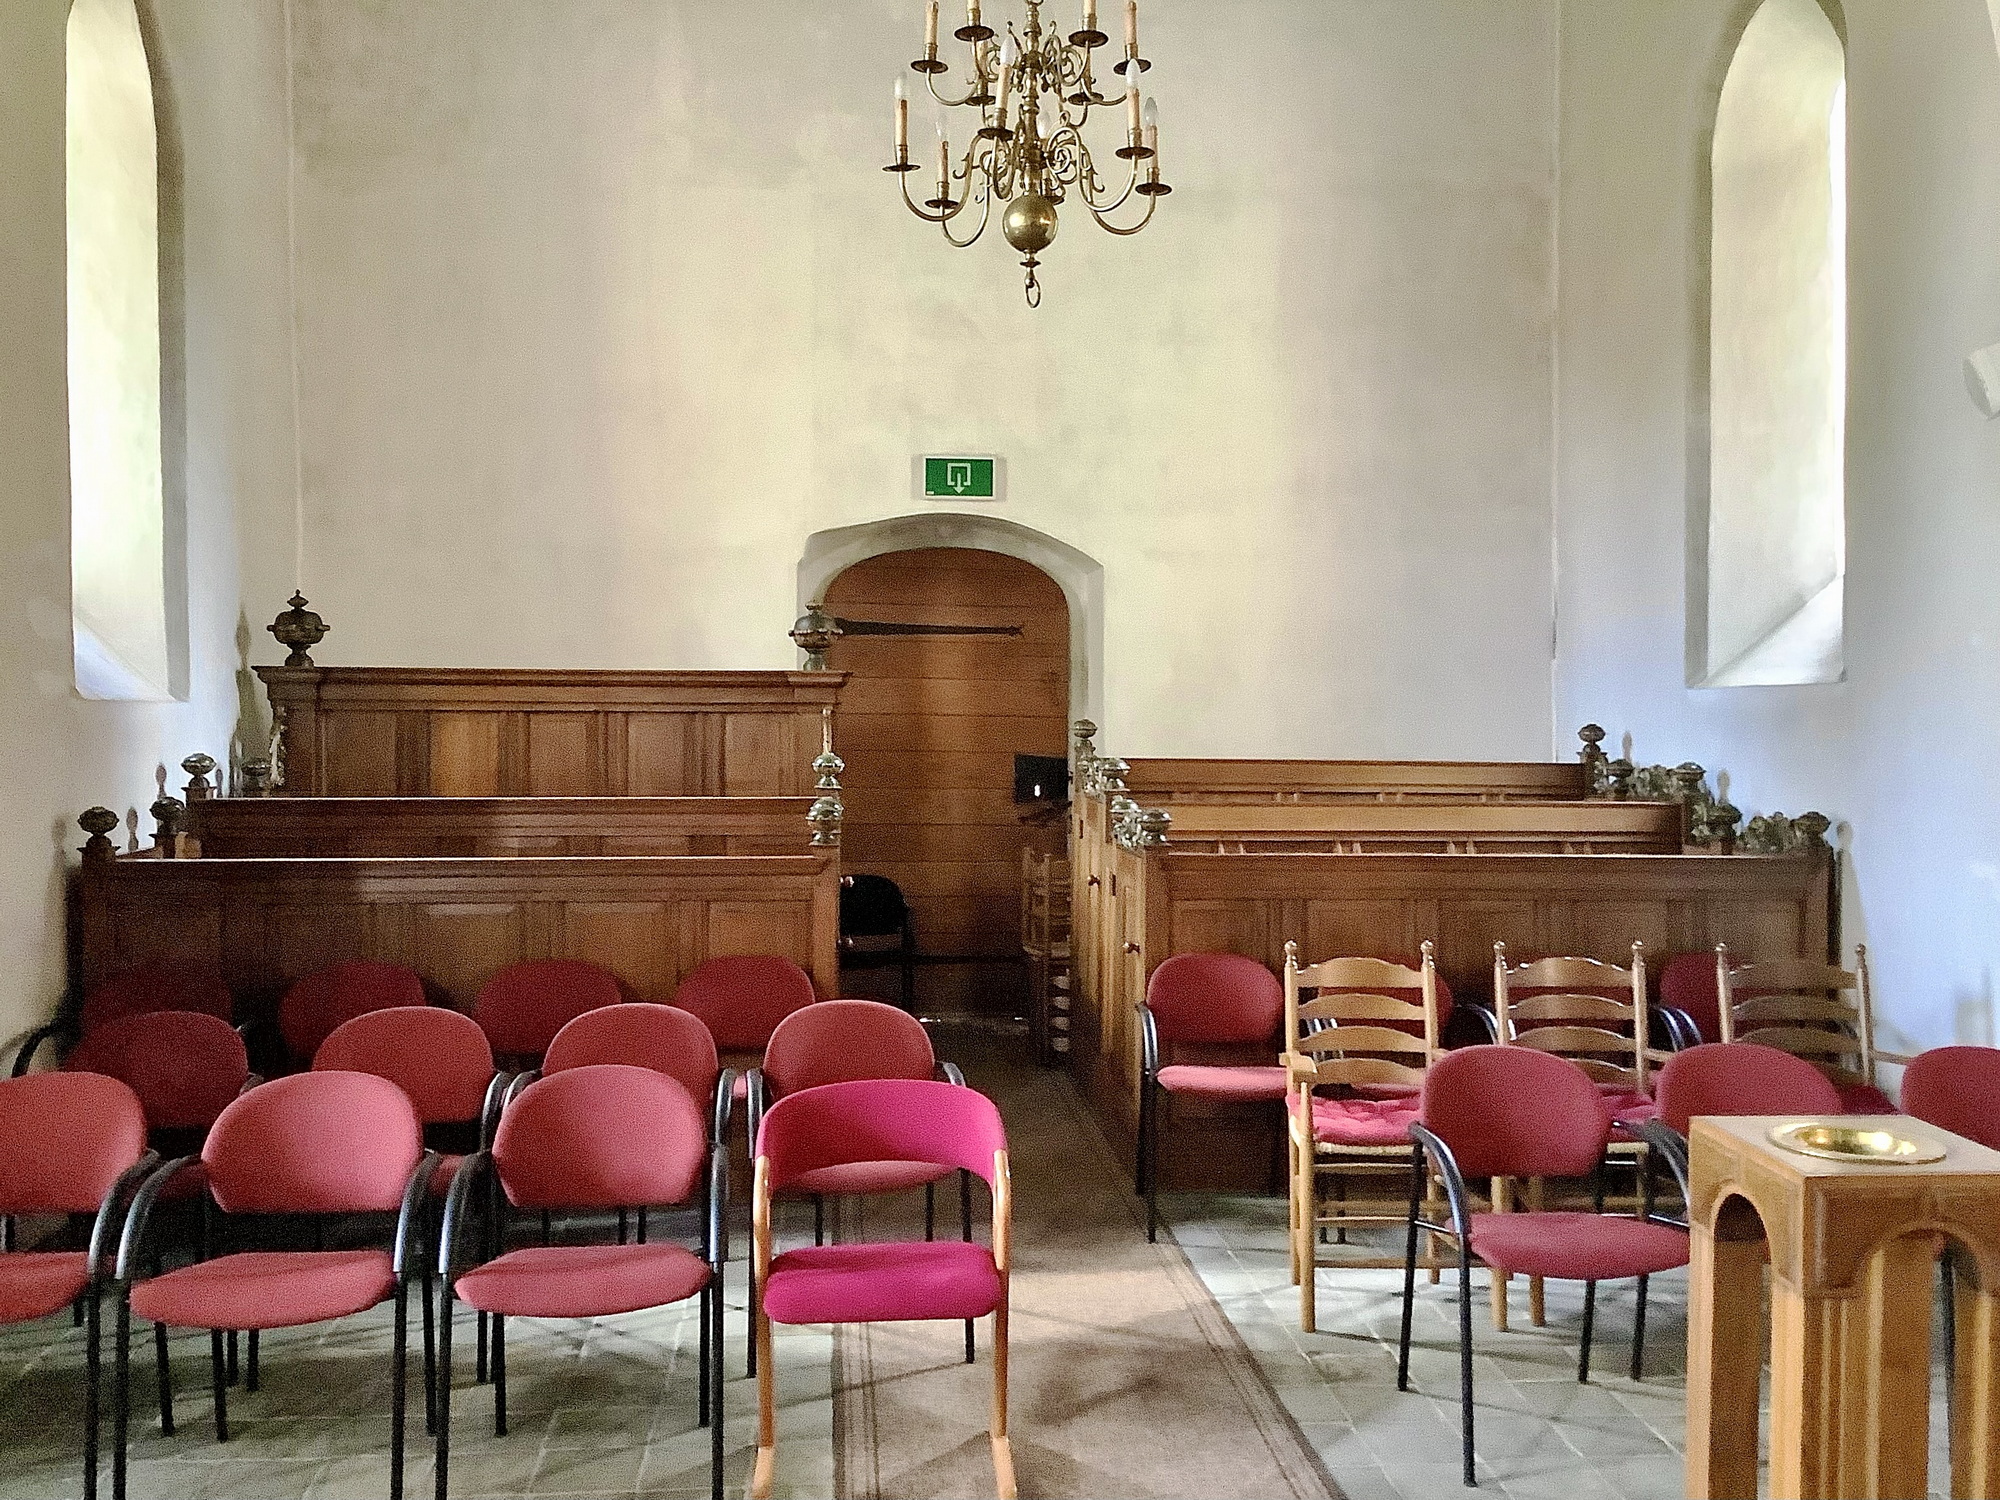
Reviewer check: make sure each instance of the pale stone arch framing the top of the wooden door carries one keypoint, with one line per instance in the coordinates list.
(1077, 575)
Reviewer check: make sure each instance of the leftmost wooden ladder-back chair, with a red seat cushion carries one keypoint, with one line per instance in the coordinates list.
(1369, 1025)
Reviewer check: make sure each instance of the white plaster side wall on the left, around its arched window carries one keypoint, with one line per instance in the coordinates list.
(63, 753)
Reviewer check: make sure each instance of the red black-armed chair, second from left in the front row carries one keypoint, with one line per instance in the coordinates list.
(311, 1145)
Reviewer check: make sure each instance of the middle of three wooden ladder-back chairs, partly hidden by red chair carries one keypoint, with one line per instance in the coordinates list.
(1593, 1015)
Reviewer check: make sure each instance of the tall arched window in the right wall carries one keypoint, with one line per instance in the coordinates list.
(1777, 357)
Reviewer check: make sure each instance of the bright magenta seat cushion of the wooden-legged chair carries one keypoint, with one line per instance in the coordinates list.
(883, 1283)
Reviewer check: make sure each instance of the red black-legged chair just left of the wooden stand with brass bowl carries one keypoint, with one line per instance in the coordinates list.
(1521, 1113)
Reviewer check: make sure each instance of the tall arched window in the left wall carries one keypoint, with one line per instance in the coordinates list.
(117, 507)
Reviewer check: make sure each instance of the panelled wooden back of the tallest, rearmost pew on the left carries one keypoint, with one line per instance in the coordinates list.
(387, 731)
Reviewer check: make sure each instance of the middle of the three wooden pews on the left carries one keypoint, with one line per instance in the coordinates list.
(393, 827)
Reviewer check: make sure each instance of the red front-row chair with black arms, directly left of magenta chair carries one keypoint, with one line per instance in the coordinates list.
(597, 1137)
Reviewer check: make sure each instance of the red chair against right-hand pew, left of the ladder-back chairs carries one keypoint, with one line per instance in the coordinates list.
(1201, 1007)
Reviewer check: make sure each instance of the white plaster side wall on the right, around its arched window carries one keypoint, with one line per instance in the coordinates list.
(1903, 749)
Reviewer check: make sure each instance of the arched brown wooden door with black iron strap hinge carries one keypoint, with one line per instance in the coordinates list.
(931, 727)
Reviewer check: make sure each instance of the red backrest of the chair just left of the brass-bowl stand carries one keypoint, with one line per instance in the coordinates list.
(1515, 1113)
